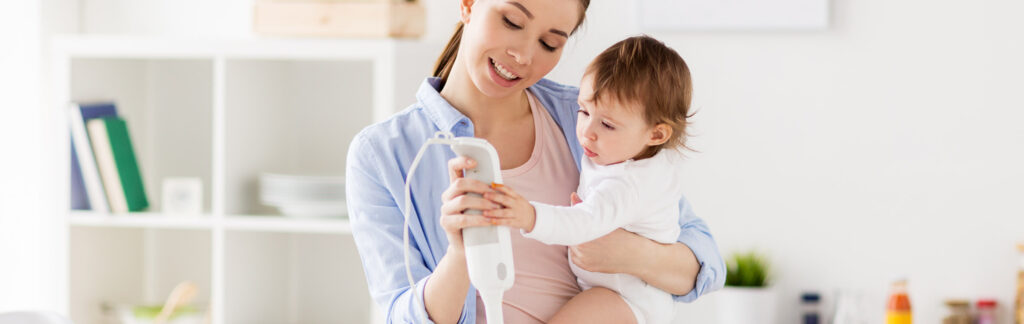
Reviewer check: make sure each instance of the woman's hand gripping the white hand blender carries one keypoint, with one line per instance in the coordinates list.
(455, 202)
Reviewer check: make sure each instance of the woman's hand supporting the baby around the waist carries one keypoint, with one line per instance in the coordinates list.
(617, 253)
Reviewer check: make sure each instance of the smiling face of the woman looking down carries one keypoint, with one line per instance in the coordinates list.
(509, 46)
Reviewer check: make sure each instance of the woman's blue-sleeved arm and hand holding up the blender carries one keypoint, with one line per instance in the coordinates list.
(377, 219)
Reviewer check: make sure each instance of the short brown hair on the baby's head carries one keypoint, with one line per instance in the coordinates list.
(643, 70)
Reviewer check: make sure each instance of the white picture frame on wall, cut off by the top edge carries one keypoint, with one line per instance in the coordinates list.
(734, 15)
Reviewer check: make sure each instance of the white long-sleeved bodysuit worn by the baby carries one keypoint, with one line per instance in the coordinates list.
(639, 196)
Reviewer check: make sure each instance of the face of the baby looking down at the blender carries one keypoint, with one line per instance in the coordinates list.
(609, 131)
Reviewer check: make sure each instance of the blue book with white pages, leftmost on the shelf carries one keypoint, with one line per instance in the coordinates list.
(92, 188)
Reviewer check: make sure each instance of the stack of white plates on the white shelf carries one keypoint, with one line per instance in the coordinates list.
(305, 196)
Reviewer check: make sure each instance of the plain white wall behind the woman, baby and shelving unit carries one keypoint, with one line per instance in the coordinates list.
(888, 144)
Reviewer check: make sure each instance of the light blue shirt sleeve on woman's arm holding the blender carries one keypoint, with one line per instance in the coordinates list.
(377, 228)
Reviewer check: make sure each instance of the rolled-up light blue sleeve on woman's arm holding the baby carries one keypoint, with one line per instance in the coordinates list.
(696, 235)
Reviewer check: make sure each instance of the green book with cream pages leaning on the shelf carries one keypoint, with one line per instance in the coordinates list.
(117, 165)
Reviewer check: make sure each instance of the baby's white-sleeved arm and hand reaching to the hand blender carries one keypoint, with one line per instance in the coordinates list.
(611, 207)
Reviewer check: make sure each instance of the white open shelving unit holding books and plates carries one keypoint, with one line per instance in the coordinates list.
(226, 111)
